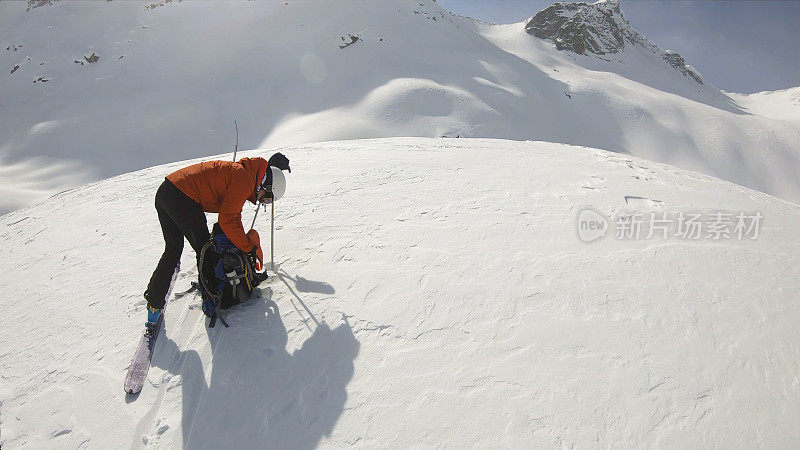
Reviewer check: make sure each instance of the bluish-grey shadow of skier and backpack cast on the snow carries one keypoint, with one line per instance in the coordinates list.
(260, 395)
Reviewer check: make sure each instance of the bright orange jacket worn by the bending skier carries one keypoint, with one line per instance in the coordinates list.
(223, 187)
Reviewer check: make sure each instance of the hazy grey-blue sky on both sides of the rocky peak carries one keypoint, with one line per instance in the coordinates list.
(739, 46)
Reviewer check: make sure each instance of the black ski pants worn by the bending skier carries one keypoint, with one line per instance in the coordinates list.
(180, 217)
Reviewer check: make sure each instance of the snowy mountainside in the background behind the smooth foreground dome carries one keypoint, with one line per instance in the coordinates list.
(95, 89)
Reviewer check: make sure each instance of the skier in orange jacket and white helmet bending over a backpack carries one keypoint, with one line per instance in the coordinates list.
(217, 187)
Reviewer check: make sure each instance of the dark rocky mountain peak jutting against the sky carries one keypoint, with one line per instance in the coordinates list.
(598, 28)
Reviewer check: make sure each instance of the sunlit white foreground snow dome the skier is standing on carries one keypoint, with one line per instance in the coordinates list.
(433, 292)
